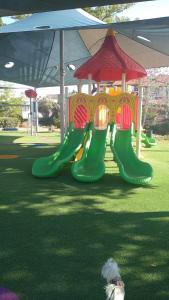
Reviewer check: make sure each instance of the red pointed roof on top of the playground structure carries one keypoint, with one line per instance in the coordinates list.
(110, 62)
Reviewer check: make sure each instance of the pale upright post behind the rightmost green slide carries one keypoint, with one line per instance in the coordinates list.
(138, 140)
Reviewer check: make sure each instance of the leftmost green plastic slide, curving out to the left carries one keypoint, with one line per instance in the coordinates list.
(50, 166)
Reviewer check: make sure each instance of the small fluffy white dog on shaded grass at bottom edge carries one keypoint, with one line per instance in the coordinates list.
(115, 286)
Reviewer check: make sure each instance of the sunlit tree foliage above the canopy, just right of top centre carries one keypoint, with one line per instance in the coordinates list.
(108, 13)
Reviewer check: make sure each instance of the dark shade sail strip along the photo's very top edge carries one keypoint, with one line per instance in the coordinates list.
(17, 7)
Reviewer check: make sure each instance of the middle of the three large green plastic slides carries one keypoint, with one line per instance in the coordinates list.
(91, 167)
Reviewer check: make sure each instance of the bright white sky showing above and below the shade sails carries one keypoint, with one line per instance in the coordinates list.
(141, 10)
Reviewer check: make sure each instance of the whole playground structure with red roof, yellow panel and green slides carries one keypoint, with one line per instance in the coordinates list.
(93, 117)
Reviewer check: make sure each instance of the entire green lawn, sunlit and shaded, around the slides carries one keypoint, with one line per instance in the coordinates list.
(55, 234)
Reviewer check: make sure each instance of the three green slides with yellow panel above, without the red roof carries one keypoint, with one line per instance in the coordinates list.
(86, 144)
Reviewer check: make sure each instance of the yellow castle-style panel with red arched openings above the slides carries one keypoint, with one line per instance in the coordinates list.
(106, 109)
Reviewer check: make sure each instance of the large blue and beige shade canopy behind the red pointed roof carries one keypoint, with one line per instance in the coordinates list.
(33, 45)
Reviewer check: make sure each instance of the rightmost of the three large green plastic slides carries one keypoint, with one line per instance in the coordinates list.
(131, 168)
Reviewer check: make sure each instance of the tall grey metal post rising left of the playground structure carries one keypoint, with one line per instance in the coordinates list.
(62, 74)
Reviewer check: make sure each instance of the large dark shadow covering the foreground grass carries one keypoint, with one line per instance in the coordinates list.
(47, 255)
